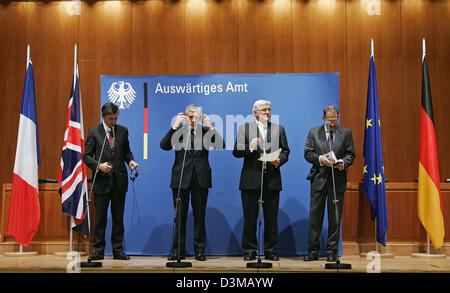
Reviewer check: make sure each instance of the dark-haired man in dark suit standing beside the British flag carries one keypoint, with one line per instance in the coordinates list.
(111, 180)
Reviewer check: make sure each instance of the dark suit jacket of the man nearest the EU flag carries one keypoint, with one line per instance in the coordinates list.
(317, 145)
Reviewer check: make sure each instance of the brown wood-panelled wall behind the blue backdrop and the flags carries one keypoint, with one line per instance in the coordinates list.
(239, 36)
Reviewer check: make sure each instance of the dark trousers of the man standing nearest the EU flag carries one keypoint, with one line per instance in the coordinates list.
(316, 214)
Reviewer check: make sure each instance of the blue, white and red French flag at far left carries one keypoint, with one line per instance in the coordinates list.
(24, 211)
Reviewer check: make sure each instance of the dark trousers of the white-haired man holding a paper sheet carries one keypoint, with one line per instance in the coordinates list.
(250, 207)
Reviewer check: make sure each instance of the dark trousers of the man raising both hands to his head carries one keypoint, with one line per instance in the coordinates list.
(199, 198)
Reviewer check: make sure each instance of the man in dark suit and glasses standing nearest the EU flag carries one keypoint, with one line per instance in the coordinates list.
(321, 142)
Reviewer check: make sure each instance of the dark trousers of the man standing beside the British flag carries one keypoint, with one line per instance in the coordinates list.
(102, 201)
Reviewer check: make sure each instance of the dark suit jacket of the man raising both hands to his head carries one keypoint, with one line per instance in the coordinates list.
(196, 159)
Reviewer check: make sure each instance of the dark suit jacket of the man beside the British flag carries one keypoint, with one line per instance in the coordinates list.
(122, 155)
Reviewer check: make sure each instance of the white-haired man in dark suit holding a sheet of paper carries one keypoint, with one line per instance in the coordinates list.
(253, 140)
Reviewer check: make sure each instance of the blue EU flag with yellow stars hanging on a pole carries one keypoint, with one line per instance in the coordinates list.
(373, 174)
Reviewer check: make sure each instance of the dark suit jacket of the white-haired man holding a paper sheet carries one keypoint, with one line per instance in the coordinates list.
(251, 169)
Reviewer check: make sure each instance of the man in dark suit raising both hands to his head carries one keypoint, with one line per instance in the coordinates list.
(191, 174)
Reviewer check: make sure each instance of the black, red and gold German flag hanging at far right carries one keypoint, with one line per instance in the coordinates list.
(429, 202)
